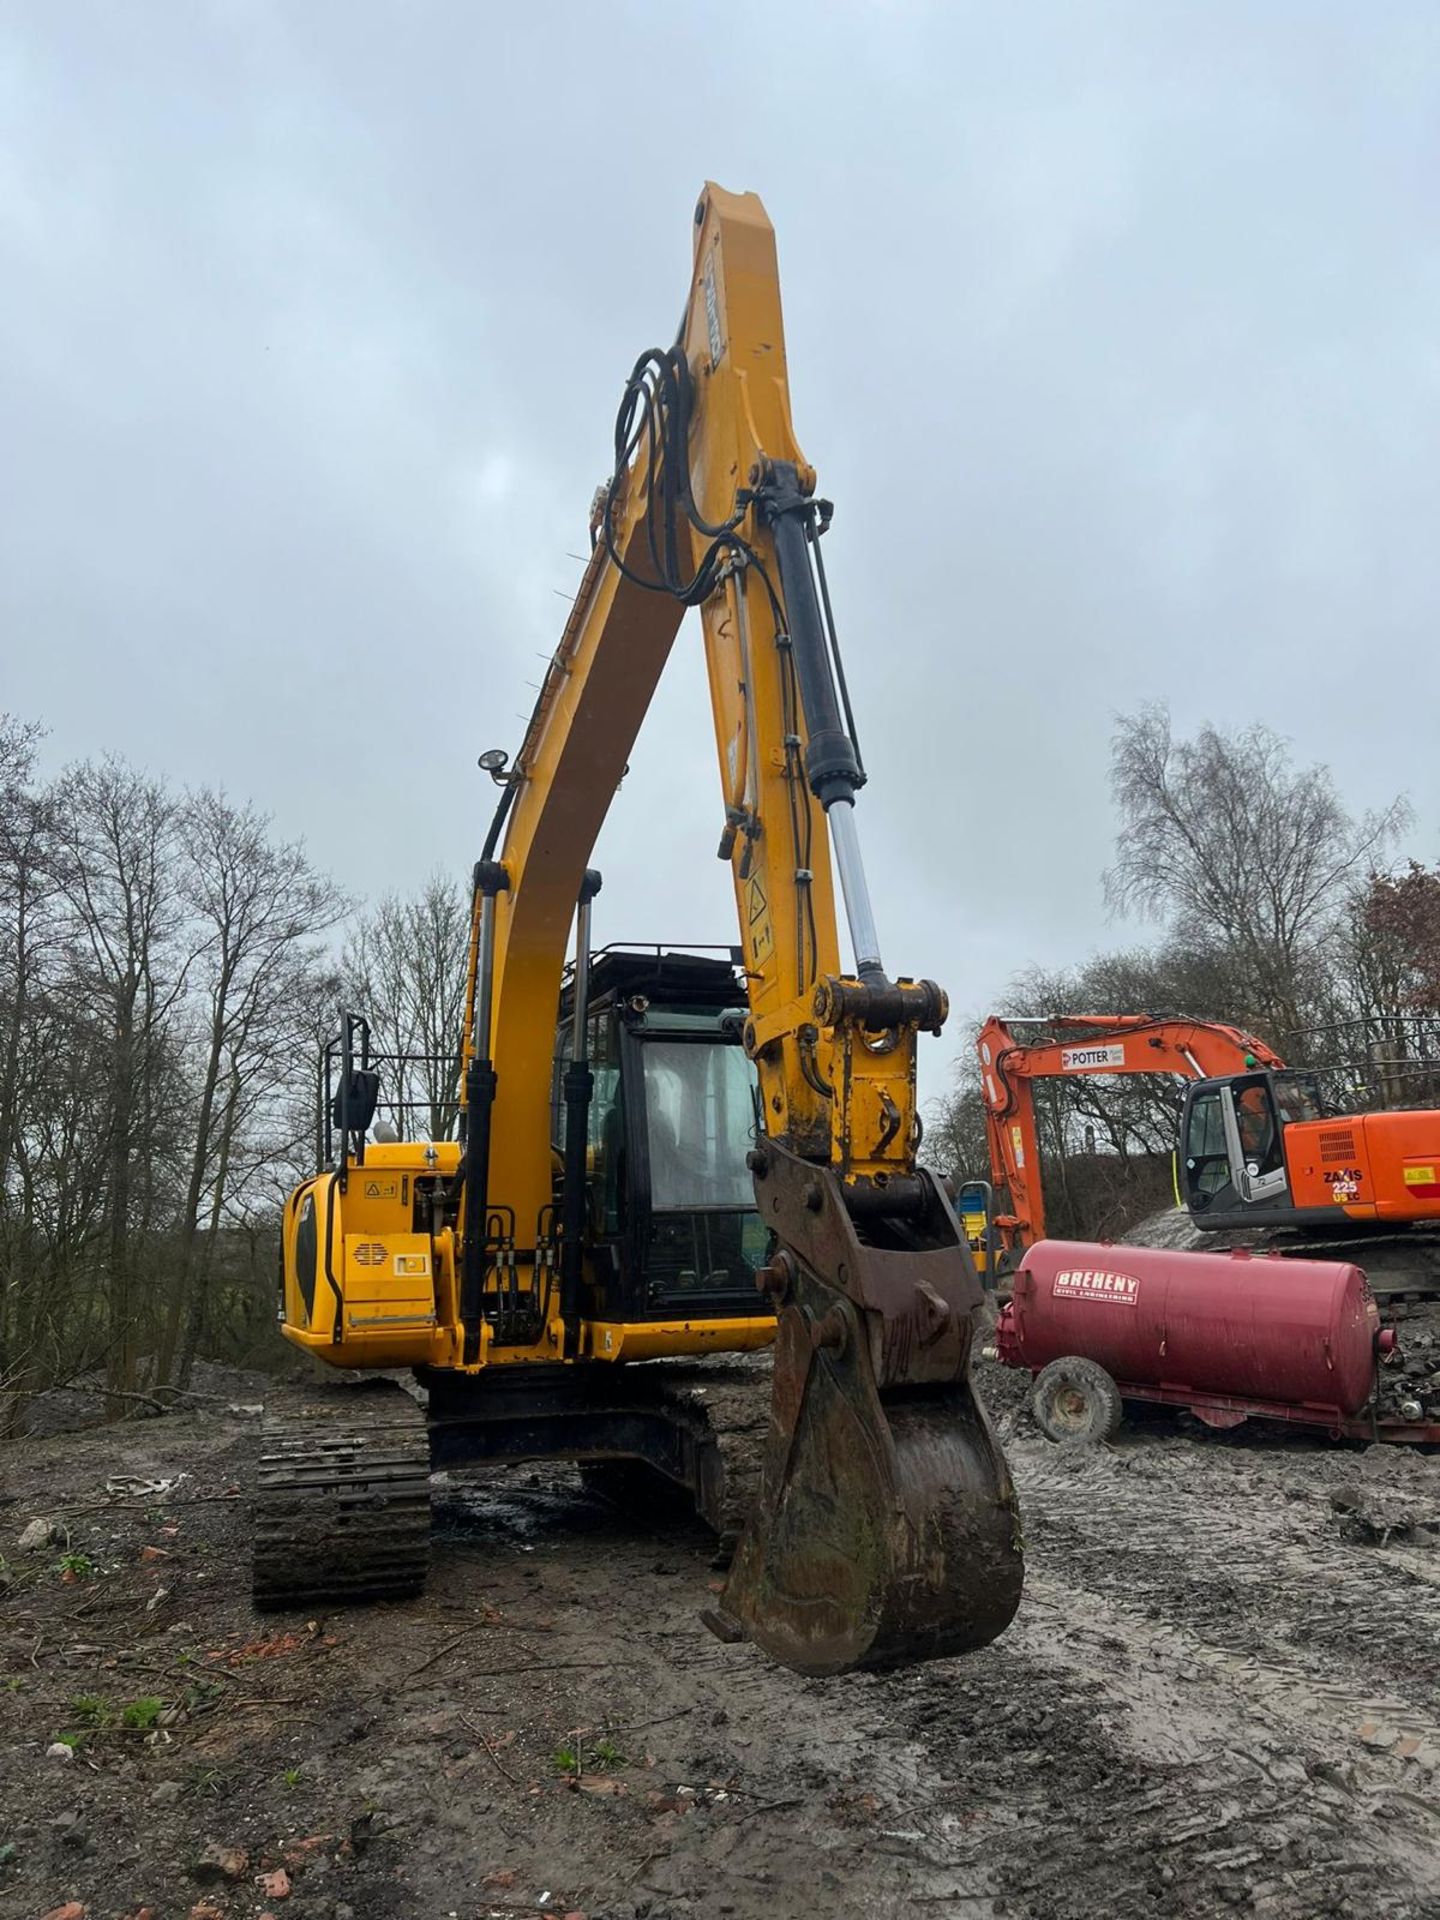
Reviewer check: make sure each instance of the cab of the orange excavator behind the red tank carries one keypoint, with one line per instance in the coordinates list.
(1234, 1145)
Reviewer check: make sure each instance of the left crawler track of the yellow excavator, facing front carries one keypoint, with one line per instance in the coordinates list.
(343, 1497)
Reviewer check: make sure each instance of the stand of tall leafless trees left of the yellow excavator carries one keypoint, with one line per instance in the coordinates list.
(162, 969)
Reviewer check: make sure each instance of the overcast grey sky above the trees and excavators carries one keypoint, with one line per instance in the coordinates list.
(1113, 335)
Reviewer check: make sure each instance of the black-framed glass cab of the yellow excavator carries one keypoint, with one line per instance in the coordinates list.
(675, 1111)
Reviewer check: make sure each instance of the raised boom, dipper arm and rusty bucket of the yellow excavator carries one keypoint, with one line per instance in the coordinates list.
(886, 1529)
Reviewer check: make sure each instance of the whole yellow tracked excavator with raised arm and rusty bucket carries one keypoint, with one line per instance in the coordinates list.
(667, 1161)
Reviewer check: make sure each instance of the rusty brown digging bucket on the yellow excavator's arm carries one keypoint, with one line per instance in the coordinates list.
(886, 1529)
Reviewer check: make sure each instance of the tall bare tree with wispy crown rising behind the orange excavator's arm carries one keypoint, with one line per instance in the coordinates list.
(1239, 852)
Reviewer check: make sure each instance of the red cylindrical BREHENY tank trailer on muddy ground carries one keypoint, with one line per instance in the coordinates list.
(1226, 1335)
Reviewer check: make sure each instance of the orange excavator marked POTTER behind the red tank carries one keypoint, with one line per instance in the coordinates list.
(1257, 1147)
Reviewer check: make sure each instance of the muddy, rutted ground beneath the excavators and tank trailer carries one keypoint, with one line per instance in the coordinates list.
(1222, 1696)
